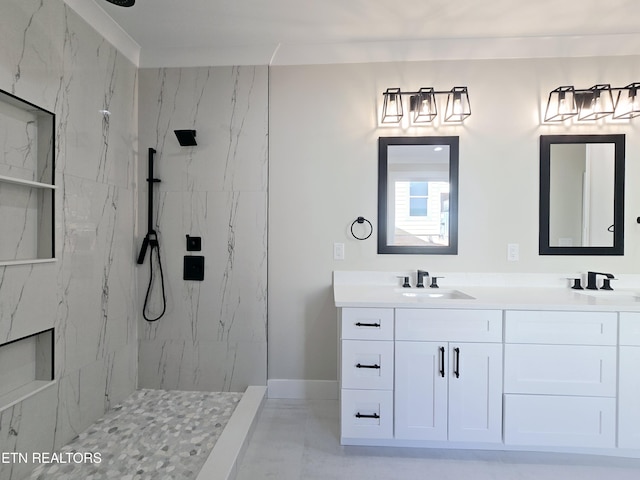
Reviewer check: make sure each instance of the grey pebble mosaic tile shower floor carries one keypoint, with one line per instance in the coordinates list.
(153, 434)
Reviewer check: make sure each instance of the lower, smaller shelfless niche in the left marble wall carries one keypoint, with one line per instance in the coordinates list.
(26, 367)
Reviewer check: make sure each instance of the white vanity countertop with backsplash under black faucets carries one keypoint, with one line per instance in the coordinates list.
(520, 292)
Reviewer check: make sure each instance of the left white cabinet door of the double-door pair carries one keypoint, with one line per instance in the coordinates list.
(421, 391)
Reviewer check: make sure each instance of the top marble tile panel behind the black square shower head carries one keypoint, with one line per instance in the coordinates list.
(227, 106)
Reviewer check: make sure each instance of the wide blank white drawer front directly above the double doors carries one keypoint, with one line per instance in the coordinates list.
(439, 324)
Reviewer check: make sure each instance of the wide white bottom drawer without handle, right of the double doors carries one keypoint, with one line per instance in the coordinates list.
(559, 421)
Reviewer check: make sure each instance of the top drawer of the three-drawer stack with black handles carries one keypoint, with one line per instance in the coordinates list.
(367, 323)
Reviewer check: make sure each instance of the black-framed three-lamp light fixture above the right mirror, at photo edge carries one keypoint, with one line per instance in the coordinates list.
(593, 103)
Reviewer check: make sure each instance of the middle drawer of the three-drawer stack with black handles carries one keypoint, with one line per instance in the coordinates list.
(367, 364)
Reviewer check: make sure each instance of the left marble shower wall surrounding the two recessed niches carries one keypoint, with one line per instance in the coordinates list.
(52, 58)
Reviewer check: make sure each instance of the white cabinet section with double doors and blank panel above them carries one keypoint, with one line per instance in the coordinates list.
(448, 375)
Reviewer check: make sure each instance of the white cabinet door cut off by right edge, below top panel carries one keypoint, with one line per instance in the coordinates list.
(628, 403)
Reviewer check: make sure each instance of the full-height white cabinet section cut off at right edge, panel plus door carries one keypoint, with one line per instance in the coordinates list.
(629, 381)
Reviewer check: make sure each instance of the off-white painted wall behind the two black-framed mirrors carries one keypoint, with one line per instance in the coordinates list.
(323, 174)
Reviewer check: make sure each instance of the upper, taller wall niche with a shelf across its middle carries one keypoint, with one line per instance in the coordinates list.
(27, 182)
